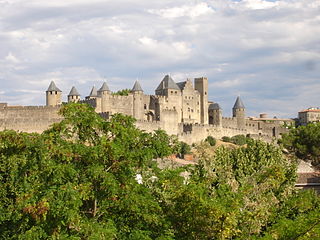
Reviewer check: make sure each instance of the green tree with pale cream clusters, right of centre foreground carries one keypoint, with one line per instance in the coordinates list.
(233, 194)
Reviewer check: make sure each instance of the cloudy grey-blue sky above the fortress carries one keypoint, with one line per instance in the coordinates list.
(268, 52)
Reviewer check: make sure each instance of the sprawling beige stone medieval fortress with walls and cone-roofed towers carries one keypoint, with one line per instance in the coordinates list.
(179, 108)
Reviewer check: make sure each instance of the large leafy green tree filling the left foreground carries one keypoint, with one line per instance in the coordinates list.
(77, 180)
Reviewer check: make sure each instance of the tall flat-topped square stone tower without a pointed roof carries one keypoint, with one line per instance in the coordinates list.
(201, 85)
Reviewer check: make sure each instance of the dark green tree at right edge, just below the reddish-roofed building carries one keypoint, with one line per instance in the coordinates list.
(304, 141)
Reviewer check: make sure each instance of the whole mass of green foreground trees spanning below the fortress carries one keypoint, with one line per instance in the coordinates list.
(86, 178)
